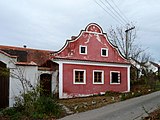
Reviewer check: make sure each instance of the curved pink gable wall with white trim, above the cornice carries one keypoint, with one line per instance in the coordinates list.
(94, 39)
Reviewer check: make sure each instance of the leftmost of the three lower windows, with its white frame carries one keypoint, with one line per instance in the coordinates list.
(79, 76)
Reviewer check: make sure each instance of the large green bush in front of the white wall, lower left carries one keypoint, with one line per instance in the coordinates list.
(33, 106)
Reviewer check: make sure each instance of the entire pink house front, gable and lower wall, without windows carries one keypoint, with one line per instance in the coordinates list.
(94, 38)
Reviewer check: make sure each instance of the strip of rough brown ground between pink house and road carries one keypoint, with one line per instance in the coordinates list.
(77, 105)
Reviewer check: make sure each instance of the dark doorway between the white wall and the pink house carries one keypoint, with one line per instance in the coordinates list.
(45, 83)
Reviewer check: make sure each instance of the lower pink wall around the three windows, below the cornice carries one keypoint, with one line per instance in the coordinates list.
(89, 88)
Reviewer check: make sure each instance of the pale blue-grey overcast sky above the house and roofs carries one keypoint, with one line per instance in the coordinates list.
(47, 24)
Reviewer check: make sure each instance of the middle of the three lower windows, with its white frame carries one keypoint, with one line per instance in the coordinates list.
(98, 77)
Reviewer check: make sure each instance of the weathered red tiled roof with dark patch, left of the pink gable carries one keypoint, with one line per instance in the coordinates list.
(27, 55)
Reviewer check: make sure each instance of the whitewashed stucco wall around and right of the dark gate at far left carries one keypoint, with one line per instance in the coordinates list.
(30, 73)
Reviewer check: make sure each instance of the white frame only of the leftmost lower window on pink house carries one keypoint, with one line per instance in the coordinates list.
(84, 76)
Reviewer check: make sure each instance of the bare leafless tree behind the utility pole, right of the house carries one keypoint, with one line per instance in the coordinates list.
(118, 37)
